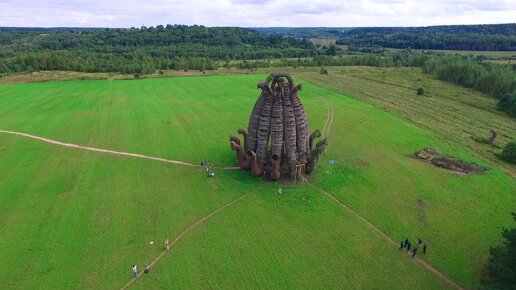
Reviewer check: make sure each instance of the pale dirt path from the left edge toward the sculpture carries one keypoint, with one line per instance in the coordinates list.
(107, 151)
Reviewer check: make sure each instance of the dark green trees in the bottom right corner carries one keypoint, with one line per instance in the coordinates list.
(501, 267)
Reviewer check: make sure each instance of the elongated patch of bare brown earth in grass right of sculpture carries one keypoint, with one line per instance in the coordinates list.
(433, 156)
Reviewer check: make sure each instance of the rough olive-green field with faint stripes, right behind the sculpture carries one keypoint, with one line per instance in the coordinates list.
(456, 113)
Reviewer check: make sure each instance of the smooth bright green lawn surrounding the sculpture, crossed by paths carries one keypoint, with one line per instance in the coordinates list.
(76, 219)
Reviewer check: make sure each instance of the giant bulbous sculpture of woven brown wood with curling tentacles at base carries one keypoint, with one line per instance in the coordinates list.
(277, 141)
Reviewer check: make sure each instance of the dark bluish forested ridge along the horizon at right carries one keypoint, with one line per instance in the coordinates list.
(499, 37)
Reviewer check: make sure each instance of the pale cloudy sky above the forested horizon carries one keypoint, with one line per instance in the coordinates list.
(253, 13)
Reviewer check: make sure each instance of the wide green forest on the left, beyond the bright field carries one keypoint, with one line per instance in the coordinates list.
(140, 50)
